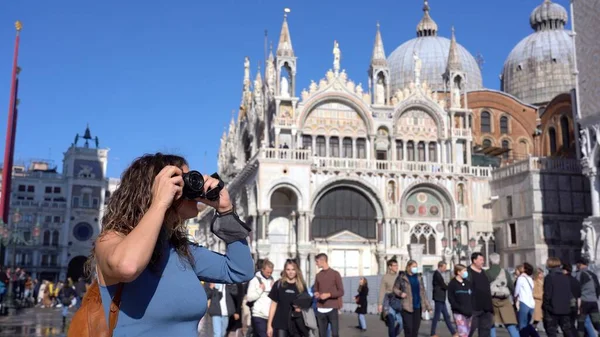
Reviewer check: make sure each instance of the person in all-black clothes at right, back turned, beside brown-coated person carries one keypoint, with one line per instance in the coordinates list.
(556, 303)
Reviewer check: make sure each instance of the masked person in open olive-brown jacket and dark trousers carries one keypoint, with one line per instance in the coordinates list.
(410, 287)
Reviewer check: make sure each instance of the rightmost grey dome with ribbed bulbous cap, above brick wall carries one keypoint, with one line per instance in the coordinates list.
(540, 67)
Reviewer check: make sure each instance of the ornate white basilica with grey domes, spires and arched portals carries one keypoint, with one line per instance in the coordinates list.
(404, 165)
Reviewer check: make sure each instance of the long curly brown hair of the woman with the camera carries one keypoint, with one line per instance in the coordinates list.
(132, 199)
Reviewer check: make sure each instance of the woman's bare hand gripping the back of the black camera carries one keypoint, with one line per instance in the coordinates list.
(167, 187)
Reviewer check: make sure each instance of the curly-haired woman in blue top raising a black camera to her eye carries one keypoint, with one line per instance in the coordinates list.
(144, 253)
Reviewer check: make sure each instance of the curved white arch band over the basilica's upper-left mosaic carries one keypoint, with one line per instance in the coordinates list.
(336, 97)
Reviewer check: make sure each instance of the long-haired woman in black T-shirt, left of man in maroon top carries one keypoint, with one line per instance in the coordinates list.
(282, 295)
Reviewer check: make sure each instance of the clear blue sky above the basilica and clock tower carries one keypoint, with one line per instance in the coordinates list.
(165, 75)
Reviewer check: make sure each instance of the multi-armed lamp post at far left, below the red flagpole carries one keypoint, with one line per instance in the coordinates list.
(13, 236)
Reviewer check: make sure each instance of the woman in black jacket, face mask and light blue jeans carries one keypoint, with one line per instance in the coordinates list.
(459, 296)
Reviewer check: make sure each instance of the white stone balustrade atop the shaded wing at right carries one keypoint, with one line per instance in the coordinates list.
(537, 164)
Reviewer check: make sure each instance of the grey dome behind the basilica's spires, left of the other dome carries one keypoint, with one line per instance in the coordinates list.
(433, 51)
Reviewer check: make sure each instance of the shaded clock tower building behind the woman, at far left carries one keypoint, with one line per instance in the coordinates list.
(67, 207)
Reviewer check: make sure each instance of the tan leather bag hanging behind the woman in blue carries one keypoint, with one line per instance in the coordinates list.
(89, 320)
